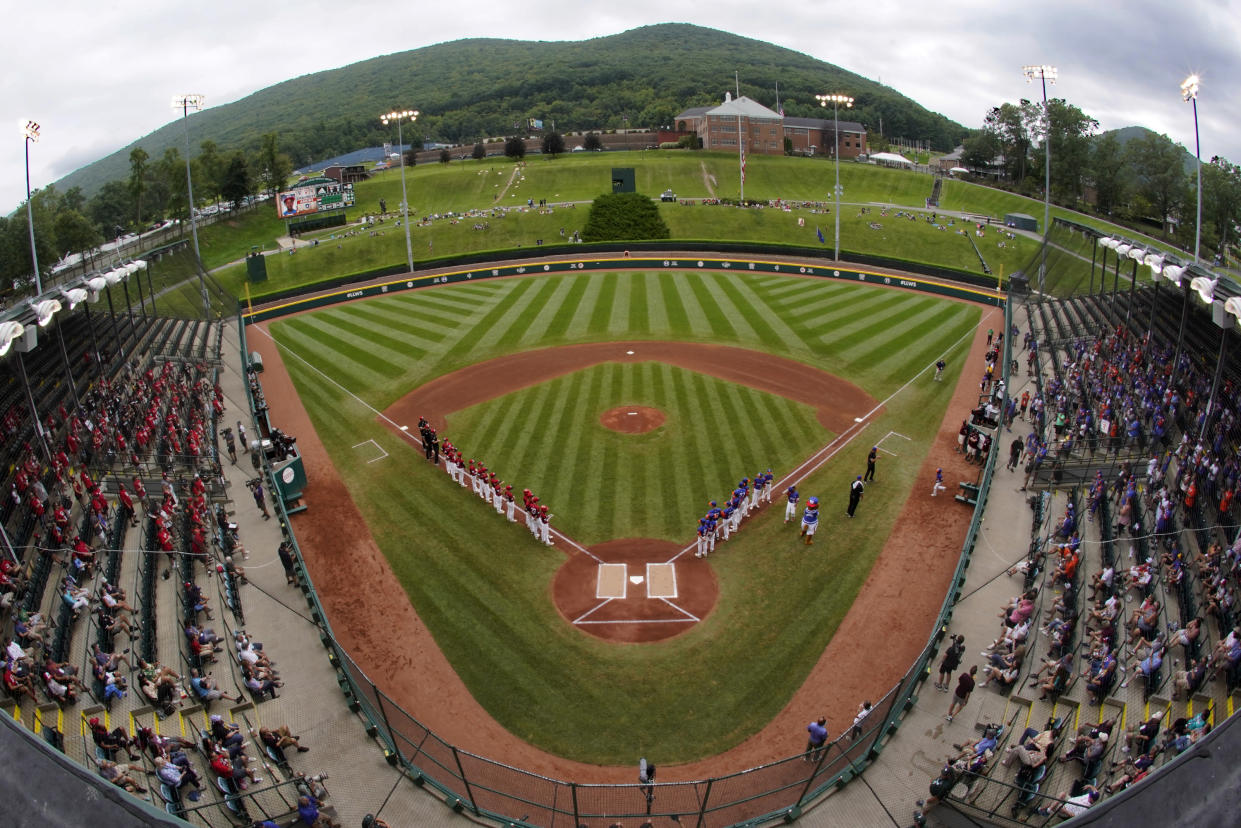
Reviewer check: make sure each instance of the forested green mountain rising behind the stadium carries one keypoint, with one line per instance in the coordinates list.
(475, 89)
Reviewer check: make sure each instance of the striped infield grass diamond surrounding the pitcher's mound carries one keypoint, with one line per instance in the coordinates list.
(636, 486)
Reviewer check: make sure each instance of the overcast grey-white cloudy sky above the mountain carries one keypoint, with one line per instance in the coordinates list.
(97, 76)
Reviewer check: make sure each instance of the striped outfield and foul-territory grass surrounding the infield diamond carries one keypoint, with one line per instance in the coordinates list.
(483, 588)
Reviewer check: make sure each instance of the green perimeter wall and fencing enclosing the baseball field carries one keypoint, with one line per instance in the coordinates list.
(512, 796)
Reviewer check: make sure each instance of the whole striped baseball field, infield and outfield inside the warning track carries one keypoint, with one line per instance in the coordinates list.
(485, 587)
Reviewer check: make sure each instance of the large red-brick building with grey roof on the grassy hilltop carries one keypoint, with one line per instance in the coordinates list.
(765, 132)
